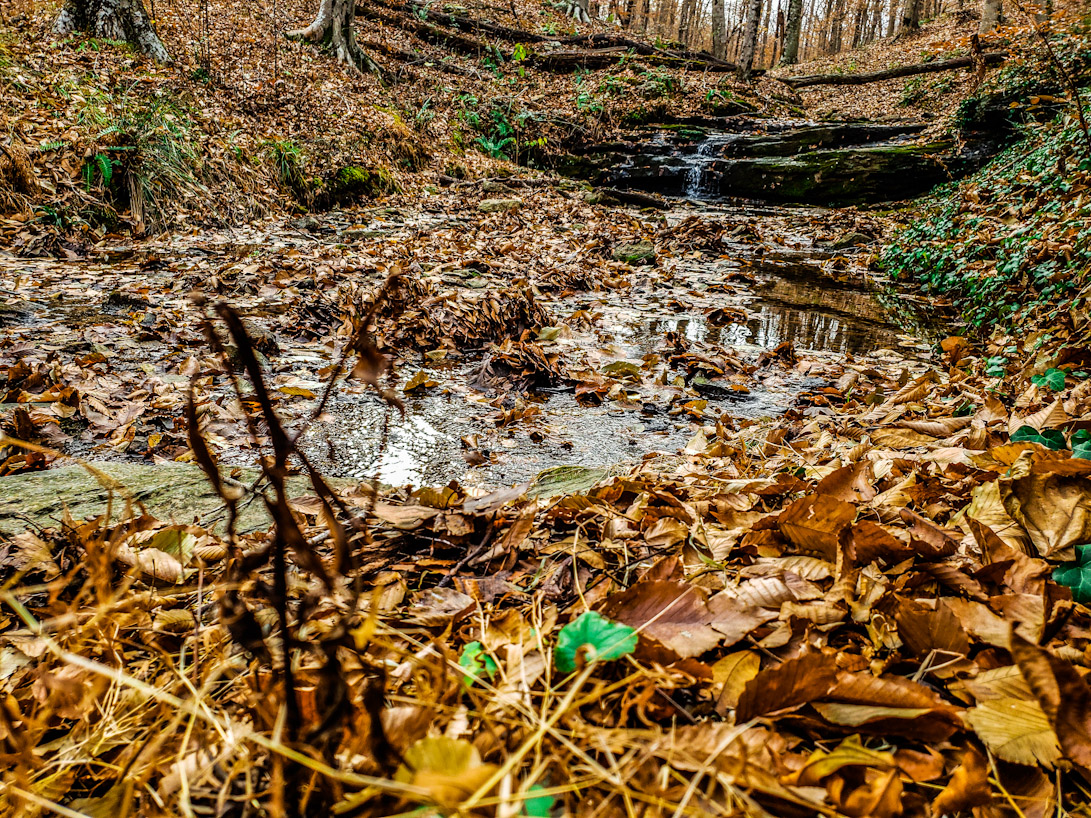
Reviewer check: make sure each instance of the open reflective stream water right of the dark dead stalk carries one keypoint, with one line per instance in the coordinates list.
(782, 293)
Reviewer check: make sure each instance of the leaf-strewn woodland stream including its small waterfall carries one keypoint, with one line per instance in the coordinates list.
(114, 323)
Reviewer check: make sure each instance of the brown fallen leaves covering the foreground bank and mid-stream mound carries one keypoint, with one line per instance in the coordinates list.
(860, 606)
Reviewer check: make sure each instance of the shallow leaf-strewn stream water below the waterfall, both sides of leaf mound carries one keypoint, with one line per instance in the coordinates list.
(782, 287)
